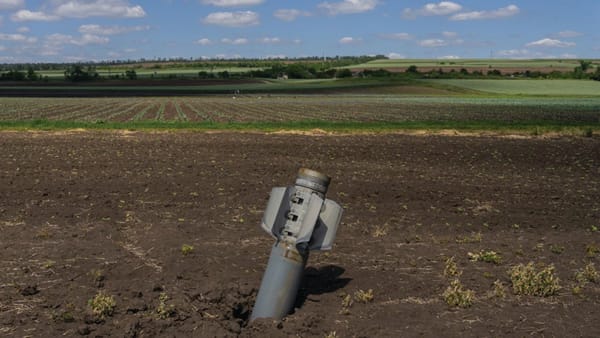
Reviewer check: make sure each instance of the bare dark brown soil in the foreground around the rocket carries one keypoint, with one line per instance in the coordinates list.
(89, 212)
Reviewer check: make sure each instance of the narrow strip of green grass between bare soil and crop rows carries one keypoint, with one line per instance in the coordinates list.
(501, 127)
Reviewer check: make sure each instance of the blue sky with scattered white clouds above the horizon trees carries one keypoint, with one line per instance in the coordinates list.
(95, 30)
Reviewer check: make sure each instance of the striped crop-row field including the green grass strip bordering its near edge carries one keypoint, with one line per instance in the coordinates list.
(333, 112)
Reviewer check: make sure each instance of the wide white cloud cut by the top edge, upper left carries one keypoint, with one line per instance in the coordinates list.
(103, 8)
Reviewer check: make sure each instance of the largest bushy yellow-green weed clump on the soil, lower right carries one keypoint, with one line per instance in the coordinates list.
(526, 280)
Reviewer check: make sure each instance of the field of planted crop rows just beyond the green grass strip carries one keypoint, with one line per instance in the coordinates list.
(295, 108)
